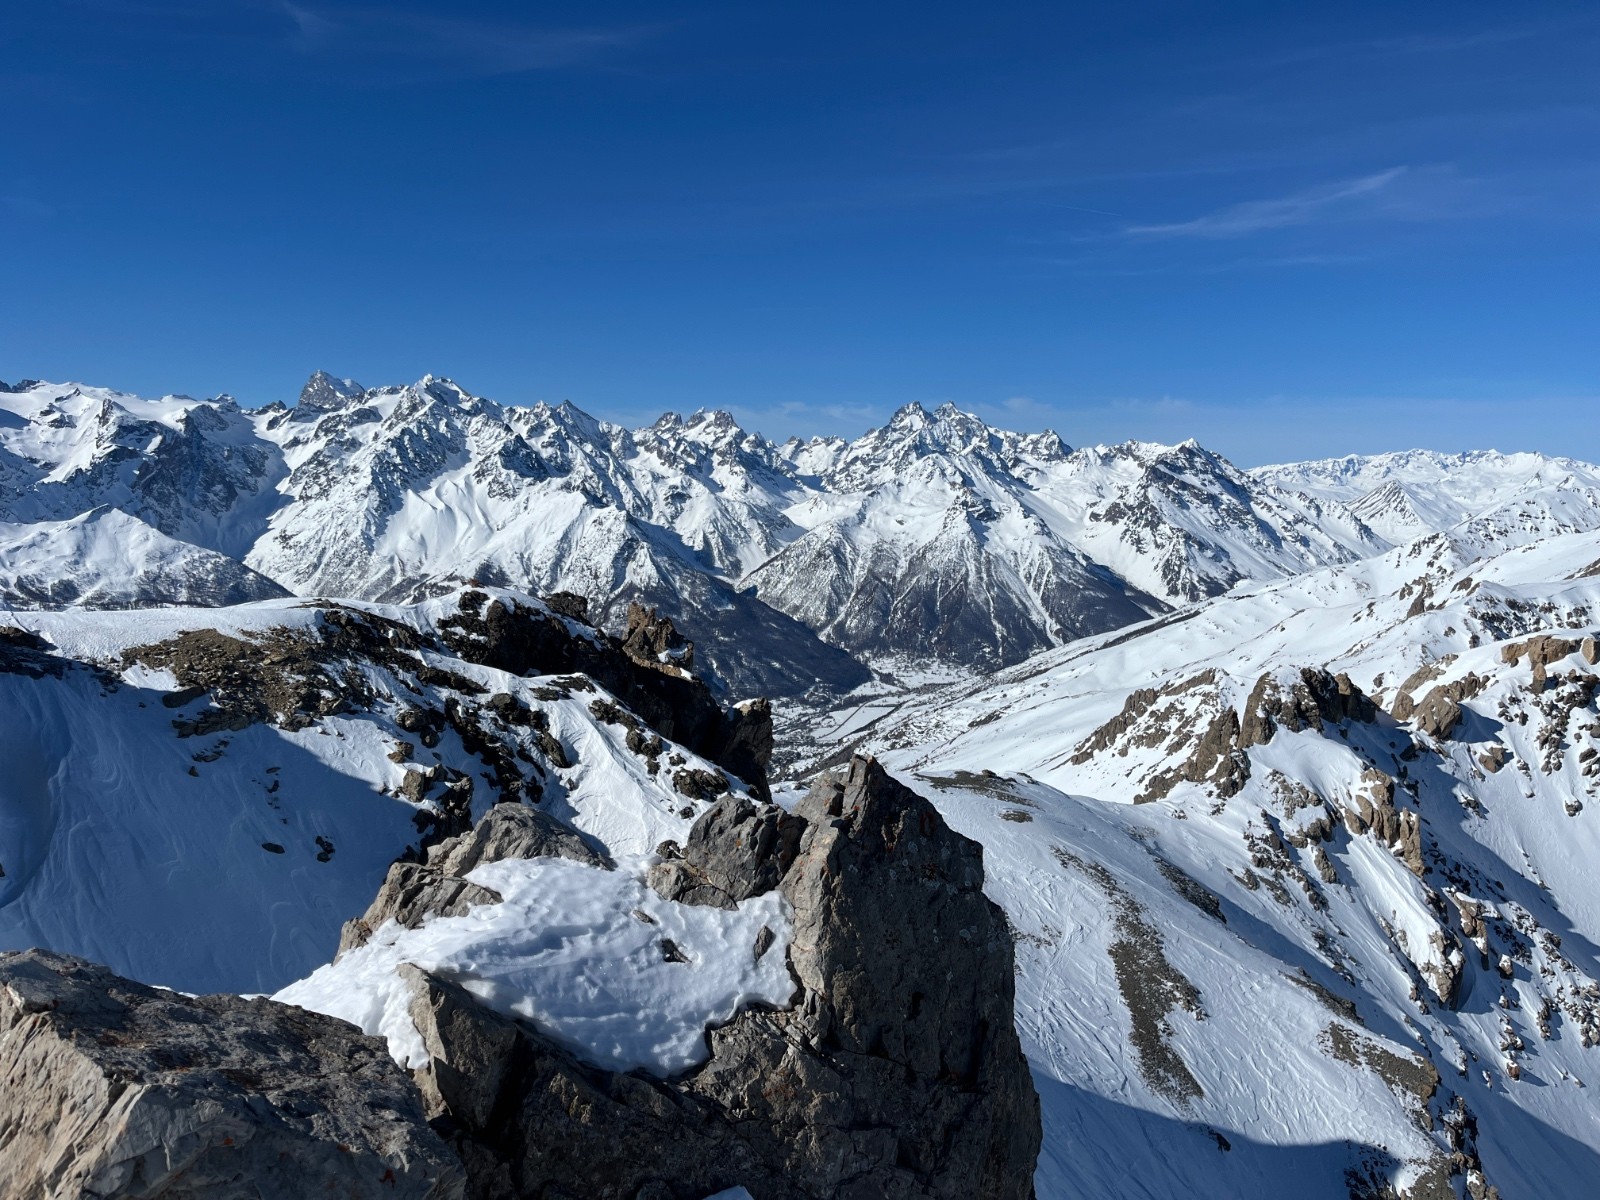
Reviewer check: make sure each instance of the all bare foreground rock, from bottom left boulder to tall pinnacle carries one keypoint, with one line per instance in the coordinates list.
(892, 1071)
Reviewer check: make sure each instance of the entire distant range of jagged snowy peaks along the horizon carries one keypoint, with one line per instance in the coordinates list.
(934, 540)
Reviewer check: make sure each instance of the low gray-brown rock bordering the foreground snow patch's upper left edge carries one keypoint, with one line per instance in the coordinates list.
(414, 892)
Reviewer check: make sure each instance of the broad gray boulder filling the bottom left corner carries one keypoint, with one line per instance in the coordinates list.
(113, 1089)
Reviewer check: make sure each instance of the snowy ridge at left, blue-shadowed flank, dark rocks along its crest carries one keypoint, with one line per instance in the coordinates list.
(201, 799)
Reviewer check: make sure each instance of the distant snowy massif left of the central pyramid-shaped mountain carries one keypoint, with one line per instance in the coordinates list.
(399, 494)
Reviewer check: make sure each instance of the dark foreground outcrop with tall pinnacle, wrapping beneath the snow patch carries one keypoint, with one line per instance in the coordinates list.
(895, 1074)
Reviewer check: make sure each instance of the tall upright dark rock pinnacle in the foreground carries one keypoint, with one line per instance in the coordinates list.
(898, 1073)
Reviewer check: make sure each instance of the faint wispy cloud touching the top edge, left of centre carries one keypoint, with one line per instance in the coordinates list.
(458, 44)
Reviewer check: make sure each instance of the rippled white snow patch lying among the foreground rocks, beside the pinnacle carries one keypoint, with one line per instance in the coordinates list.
(578, 951)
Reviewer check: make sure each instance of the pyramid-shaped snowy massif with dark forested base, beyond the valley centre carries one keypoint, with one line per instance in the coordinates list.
(1001, 545)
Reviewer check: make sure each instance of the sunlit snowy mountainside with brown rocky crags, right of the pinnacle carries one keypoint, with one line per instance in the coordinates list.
(1303, 879)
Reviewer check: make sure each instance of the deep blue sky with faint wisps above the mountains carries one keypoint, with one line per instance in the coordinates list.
(1286, 230)
